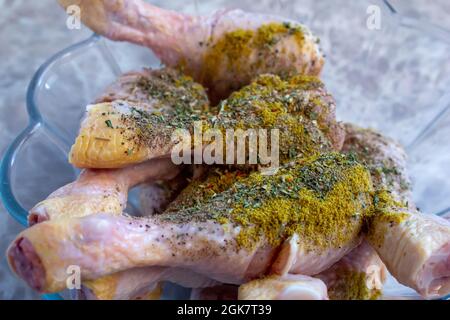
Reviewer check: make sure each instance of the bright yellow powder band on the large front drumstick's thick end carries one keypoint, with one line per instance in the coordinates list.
(333, 220)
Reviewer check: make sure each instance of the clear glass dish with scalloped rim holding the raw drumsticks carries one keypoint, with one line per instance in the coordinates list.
(395, 79)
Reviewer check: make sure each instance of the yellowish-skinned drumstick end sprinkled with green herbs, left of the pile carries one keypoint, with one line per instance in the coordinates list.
(116, 133)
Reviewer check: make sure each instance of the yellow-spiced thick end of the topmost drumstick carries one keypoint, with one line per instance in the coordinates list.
(242, 54)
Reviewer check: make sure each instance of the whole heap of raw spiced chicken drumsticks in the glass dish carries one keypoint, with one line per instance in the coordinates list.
(289, 235)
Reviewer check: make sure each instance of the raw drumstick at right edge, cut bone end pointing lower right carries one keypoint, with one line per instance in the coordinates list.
(415, 247)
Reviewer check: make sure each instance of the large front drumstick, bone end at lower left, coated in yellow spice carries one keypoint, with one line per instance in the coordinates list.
(230, 235)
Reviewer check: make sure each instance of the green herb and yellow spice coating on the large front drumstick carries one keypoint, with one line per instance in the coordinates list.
(325, 199)
